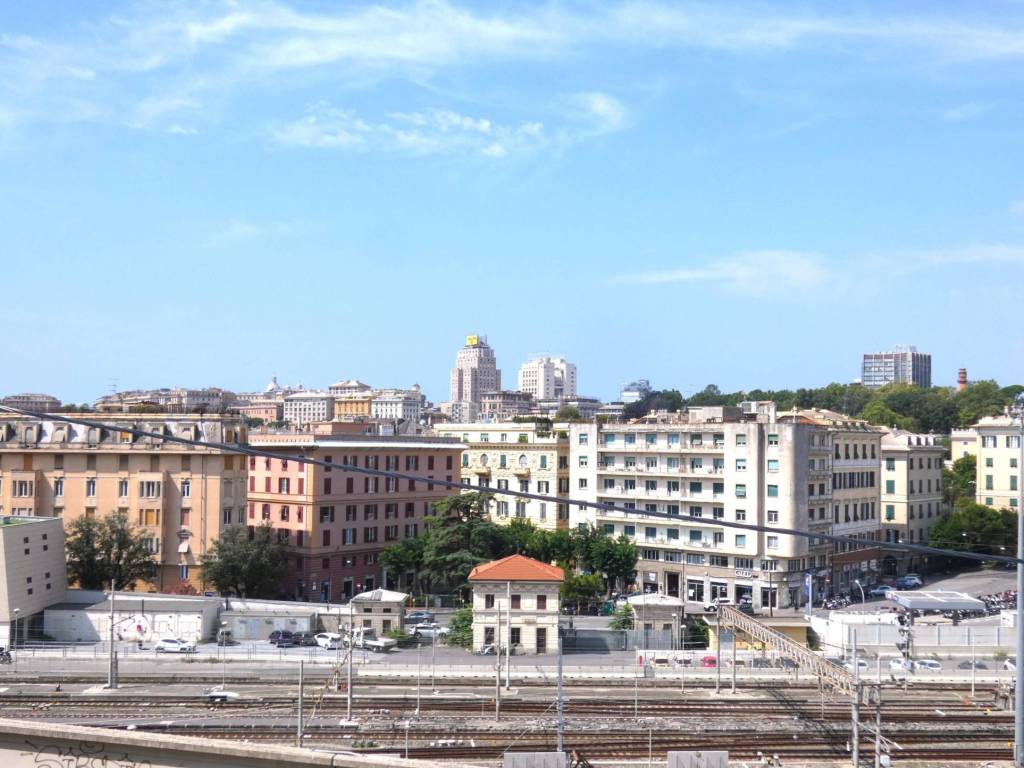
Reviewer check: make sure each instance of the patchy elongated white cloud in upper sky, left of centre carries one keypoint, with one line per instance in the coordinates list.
(425, 133)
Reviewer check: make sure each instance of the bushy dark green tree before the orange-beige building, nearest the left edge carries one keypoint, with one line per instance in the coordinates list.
(109, 549)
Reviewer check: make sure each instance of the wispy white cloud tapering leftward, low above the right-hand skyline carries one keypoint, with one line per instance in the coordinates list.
(749, 273)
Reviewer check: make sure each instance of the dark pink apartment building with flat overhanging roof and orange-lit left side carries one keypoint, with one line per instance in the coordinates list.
(337, 523)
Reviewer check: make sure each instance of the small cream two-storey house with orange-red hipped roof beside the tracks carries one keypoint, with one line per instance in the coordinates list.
(516, 605)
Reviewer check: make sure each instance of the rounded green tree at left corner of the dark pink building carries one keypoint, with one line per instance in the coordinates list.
(247, 568)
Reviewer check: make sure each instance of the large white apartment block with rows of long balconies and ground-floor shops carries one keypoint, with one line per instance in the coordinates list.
(699, 471)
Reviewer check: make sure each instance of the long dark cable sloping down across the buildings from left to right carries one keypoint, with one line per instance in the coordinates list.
(816, 537)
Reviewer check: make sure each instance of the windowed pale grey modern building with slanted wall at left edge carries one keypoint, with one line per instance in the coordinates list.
(33, 574)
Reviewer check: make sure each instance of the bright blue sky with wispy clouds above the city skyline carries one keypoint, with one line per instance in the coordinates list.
(746, 194)
